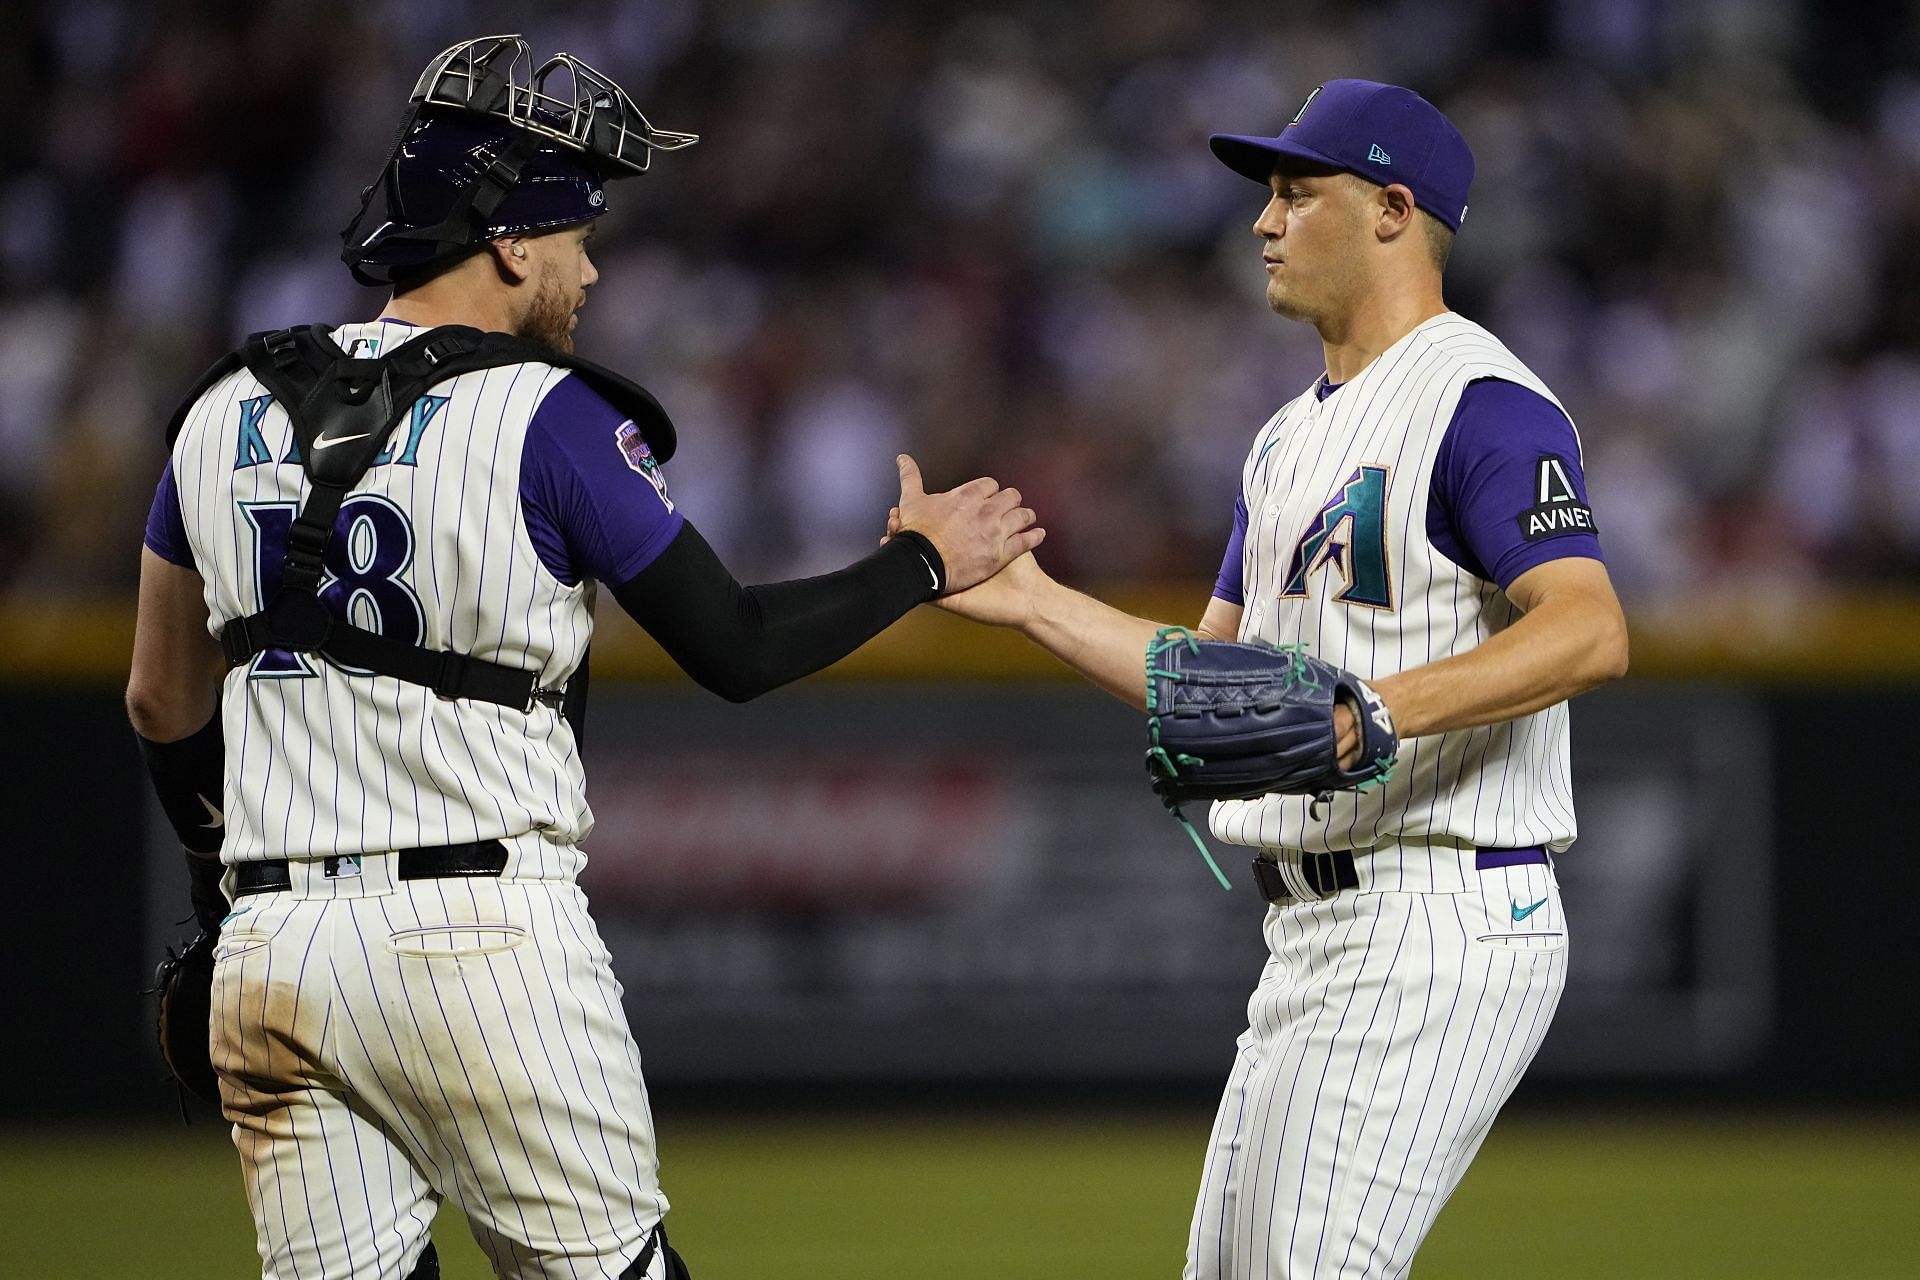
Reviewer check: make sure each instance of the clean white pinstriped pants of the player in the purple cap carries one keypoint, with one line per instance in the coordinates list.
(1385, 1033)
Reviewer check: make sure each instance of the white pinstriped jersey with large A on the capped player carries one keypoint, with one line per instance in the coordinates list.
(1326, 469)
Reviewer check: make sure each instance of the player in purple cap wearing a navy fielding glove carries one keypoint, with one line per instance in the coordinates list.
(1416, 588)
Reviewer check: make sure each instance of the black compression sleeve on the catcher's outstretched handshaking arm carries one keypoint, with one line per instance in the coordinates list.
(744, 642)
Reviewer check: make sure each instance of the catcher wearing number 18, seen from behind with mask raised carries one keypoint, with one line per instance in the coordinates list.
(358, 673)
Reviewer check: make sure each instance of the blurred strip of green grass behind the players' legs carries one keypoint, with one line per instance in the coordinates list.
(1088, 1197)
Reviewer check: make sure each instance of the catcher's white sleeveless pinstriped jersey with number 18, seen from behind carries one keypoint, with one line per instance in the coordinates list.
(329, 763)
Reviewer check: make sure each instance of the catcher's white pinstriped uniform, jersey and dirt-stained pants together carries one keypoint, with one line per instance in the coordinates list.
(387, 1045)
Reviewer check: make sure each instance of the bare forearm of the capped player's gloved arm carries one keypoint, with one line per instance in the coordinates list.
(1558, 652)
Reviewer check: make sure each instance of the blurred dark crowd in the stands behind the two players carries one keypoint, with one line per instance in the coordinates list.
(994, 235)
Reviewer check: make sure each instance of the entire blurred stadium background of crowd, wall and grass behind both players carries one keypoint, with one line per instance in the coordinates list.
(924, 980)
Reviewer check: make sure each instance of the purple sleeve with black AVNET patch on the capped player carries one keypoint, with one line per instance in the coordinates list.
(1508, 490)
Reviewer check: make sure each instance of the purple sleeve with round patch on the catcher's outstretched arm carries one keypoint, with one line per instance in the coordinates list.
(594, 496)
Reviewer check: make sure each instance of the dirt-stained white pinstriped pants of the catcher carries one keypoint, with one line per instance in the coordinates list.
(387, 1045)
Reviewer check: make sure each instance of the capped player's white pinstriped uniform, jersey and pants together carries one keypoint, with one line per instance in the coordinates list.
(1393, 1020)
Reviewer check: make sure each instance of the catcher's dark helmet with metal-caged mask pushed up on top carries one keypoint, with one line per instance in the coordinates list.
(491, 147)
